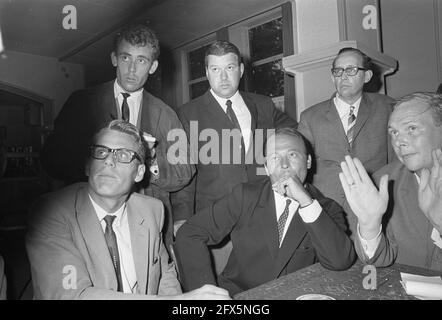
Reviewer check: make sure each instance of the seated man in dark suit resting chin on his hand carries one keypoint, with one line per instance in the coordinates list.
(277, 225)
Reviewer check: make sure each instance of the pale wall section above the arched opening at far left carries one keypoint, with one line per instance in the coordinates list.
(42, 75)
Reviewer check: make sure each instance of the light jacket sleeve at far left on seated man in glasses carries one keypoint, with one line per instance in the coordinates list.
(57, 267)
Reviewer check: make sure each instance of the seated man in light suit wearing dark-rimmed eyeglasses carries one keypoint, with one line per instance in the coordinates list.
(101, 240)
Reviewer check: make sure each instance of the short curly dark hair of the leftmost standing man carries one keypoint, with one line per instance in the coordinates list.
(140, 35)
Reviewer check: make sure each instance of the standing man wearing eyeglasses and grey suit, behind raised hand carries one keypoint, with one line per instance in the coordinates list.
(352, 122)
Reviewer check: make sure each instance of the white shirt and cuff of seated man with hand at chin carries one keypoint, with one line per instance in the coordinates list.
(308, 214)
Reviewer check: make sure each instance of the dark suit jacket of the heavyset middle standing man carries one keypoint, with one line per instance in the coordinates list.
(214, 180)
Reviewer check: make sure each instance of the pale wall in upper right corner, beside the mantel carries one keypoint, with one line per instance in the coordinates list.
(411, 33)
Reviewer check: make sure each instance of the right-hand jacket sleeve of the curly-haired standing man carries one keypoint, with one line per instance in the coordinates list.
(175, 169)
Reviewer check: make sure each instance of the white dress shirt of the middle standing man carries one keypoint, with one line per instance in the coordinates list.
(242, 114)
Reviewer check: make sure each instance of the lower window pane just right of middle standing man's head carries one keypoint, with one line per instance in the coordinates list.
(268, 79)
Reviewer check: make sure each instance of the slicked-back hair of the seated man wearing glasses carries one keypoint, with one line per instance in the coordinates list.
(129, 129)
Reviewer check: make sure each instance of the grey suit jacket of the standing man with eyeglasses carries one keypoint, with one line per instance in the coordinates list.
(322, 127)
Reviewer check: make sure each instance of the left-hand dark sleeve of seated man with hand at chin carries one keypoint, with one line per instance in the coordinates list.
(207, 227)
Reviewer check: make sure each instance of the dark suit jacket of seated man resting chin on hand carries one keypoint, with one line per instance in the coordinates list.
(248, 214)
